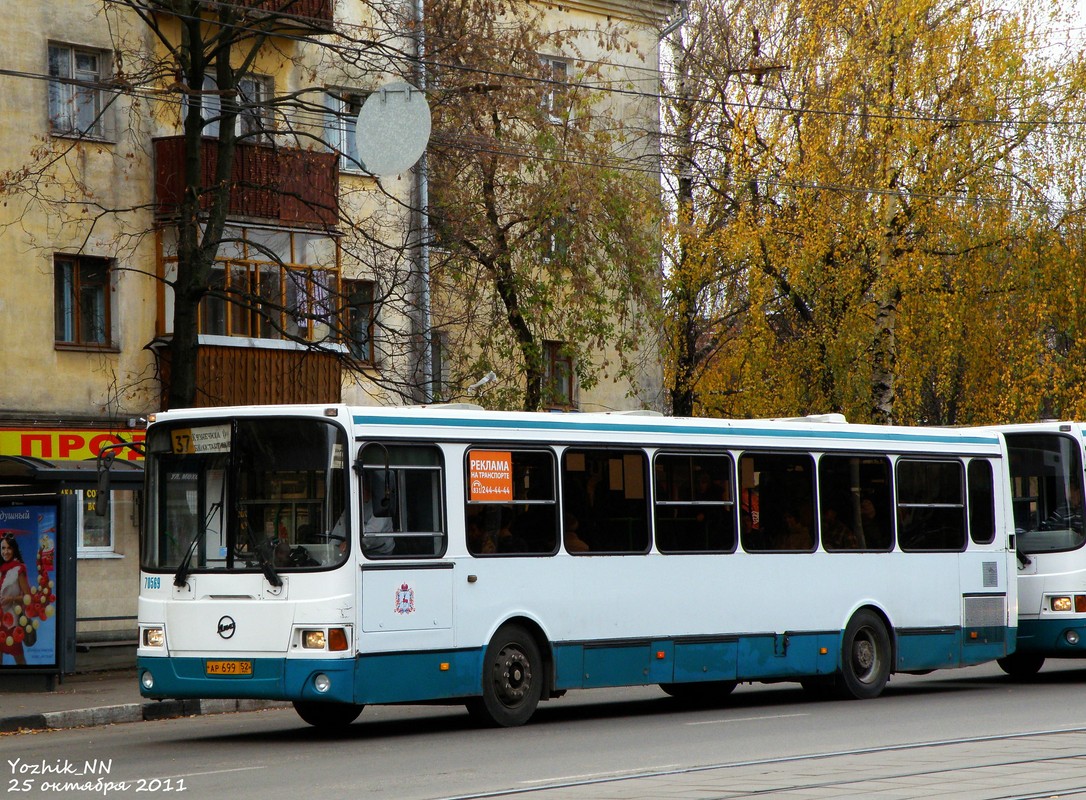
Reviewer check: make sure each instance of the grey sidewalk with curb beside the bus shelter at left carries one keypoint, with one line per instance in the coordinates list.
(103, 693)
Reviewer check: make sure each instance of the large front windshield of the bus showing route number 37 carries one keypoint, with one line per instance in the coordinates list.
(246, 494)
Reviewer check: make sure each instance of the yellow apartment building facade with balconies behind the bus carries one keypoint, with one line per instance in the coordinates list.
(314, 285)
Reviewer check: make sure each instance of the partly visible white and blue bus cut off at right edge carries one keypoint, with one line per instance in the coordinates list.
(1046, 472)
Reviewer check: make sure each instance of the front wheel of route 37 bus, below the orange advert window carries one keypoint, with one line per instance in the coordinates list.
(512, 680)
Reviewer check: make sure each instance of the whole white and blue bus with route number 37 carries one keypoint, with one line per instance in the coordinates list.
(342, 556)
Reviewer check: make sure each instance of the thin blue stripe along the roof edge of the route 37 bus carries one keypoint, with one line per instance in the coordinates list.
(831, 431)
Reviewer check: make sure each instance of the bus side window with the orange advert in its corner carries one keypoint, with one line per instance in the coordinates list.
(511, 507)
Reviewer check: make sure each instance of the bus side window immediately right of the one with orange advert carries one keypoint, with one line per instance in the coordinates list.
(605, 491)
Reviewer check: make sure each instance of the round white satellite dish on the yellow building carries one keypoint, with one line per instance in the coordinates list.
(393, 130)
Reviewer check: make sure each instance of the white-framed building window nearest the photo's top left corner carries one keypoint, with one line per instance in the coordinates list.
(77, 100)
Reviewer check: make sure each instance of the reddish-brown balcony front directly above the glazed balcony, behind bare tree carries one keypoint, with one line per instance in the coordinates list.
(296, 188)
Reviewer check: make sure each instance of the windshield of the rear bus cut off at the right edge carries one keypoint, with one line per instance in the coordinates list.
(1047, 490)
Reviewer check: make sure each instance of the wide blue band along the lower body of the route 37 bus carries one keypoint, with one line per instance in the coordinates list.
(450, 675)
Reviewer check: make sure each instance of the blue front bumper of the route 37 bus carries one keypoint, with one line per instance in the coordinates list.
(271, 680)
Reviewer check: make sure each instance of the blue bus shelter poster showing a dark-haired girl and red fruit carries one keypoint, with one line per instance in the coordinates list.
(28, 587)
